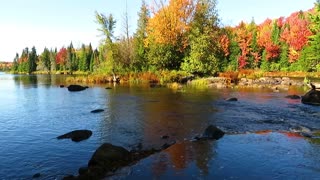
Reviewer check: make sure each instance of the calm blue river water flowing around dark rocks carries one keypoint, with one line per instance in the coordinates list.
(34, 110)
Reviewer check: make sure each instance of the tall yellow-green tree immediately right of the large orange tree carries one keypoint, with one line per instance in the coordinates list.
(203, 36)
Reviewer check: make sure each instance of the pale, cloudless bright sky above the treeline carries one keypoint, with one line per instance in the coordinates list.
(55, 23)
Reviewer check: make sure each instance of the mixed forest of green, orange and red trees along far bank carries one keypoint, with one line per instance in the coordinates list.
(187, 36)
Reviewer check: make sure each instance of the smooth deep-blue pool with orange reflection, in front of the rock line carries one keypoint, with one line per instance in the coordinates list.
(243, 156)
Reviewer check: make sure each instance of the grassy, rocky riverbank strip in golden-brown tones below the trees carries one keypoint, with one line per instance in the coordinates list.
(175, 79)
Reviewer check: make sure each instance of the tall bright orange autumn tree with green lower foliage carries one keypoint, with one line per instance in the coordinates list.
(166, 33)
